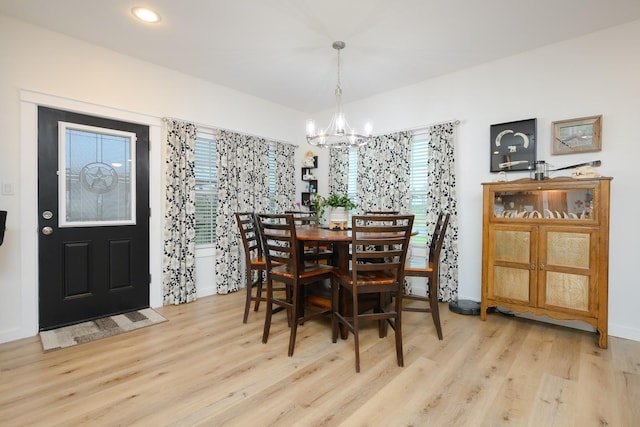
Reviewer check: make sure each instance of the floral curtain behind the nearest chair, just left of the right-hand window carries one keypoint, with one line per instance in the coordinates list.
(383, 173)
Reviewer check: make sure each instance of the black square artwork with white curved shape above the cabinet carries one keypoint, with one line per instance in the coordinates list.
(513, 146)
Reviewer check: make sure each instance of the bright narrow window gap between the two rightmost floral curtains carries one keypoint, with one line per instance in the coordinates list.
(418, 187)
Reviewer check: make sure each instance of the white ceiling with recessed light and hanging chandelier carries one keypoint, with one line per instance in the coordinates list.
(280, 50)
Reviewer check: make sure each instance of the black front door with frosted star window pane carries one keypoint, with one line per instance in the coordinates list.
(93, 217)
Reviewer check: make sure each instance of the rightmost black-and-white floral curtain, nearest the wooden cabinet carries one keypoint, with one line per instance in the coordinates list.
(441, 196)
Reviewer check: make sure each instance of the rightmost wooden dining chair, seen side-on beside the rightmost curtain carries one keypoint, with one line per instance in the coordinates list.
(428, 268)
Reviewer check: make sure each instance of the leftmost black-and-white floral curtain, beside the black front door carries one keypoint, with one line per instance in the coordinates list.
(178, 280)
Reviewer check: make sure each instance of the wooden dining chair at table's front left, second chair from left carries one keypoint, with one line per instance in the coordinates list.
(284, 264)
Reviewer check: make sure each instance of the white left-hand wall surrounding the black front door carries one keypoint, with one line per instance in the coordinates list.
(41, 67)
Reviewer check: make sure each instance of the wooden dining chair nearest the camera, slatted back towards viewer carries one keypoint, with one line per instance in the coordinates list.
(383, 239)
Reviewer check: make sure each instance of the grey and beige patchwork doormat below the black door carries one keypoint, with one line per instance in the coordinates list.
(68, 336)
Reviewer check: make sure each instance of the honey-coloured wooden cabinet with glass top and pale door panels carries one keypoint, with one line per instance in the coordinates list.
(545, 249)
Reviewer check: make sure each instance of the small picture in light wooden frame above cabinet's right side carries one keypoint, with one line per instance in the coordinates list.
(581, 135)
